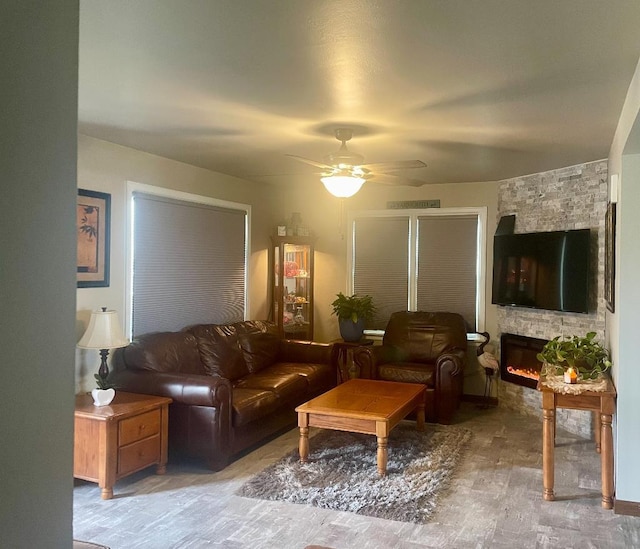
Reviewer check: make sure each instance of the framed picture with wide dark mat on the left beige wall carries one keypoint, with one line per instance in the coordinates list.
(93, 212)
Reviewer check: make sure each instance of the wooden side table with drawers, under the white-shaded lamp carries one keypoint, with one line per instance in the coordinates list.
(111, 442)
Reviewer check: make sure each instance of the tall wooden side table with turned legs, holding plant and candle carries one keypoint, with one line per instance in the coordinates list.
(603, 403)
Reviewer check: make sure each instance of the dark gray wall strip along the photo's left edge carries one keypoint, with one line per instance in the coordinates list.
(38, 149)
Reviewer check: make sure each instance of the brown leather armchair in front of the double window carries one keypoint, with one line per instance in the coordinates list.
(428, 348)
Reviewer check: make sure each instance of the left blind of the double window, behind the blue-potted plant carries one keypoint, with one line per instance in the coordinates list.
(381, 264)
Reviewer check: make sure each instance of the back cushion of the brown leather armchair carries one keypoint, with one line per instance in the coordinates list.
(420, 336)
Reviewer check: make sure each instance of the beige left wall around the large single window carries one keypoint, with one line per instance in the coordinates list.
(107, 167)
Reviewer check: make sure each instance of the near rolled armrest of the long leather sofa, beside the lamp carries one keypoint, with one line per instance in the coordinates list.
(187, 389)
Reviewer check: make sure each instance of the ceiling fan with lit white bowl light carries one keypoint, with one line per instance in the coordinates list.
(343, 172)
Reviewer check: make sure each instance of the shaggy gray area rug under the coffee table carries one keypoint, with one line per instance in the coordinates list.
(342, 474)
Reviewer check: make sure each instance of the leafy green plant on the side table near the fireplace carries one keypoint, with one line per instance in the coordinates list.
(584, 354)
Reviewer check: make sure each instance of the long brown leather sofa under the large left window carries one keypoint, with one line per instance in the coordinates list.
(232, 385)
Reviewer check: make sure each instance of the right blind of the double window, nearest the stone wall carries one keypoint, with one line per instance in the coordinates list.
(447, 265)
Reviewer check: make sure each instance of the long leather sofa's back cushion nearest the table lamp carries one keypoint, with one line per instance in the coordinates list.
(175, 352)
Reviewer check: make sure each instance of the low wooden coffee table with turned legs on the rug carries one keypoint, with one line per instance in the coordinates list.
(362, 406)
